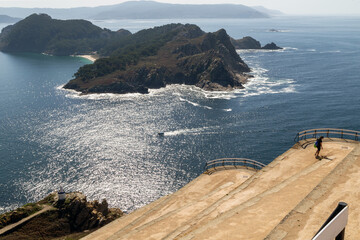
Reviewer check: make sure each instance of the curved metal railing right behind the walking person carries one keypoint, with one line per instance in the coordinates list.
(328, 132)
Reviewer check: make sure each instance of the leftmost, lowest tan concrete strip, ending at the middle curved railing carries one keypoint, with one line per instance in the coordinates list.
(157, 219)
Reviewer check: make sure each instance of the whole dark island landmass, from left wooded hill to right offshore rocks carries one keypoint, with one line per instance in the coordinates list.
(135, 63)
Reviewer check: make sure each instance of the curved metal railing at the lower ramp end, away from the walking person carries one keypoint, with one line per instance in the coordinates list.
(231, 163)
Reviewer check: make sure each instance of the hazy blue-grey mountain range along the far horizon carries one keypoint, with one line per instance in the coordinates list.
(146, 10)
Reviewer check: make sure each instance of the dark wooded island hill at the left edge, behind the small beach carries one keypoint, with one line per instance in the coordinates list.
(40, 33)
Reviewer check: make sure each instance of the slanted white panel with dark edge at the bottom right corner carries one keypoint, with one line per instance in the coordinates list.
(334, 226)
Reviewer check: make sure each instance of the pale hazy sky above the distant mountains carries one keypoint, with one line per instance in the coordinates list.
(321, 7)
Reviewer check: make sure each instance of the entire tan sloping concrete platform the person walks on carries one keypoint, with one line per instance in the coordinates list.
(288, 199)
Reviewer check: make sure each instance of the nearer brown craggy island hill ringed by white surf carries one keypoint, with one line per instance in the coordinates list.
(171, 54)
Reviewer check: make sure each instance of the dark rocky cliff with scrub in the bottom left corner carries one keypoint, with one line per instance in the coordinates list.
(74, 217)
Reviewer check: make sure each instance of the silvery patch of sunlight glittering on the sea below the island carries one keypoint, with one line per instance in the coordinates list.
(104, 151)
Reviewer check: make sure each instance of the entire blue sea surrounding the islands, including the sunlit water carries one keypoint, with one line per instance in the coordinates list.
(106, 145)
